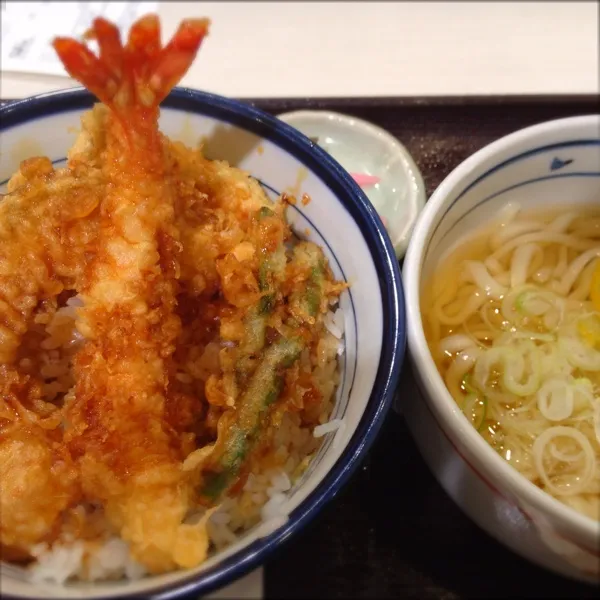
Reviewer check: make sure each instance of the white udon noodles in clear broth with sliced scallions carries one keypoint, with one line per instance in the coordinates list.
(512, 319)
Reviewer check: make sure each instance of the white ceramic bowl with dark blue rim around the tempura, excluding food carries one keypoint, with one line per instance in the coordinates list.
(339, 218)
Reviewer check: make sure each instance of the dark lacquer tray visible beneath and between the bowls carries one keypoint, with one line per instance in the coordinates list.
(392, 532)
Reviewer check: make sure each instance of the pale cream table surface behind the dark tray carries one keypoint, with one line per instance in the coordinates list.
(285, 49)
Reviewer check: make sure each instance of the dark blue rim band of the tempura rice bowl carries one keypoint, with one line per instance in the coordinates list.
(394, 323)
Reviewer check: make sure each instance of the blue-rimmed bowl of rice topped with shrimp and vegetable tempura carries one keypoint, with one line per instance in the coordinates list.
(201, 328)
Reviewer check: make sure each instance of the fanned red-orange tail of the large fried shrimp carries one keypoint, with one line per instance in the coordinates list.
(132, 79)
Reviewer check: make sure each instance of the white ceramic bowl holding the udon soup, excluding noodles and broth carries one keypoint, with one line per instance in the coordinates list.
(544, 165)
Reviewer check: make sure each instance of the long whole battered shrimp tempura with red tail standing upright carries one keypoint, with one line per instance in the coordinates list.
(120, 425)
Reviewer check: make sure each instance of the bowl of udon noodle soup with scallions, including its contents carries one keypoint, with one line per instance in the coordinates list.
(502, 281)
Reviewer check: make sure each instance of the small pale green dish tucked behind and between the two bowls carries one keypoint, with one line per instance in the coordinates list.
(361, 147)
